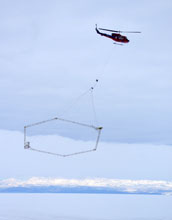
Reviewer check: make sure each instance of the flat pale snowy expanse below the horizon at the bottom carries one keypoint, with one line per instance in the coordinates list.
(84, 207)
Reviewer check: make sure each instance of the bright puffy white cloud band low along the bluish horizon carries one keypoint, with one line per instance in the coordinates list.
(115, 185)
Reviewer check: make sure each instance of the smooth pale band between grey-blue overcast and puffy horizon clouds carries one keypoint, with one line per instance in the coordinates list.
(110, 161)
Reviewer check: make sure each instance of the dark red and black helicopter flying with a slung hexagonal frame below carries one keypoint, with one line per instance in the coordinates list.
(116, 36)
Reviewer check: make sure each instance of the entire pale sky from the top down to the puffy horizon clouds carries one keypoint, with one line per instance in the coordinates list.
(50, 54)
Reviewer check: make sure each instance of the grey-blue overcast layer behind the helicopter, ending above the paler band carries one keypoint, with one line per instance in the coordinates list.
(50, 54)
